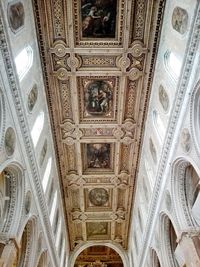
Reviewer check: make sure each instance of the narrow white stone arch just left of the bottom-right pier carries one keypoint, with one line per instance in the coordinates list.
(168, 232)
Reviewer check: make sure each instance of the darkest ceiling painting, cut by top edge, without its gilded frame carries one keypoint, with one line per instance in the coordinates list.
(98, 18)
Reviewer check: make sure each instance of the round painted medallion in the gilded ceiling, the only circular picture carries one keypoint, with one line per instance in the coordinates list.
(98, 196)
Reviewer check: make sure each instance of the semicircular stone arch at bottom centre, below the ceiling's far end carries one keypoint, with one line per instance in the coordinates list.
(115, 246)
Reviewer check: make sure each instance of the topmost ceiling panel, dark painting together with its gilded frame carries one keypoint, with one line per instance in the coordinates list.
(98, 21)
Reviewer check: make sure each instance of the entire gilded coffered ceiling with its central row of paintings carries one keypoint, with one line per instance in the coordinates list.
(98, 60)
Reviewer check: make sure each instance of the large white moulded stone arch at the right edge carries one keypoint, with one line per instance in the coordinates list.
(179, 194)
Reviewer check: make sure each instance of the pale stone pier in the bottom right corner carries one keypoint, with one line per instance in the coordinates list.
(189, 242)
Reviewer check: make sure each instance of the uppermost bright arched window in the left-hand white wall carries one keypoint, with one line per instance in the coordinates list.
(24, 61)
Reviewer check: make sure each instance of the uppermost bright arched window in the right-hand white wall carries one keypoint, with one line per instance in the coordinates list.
(173, 64)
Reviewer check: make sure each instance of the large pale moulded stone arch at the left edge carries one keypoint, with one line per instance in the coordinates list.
(14, 192)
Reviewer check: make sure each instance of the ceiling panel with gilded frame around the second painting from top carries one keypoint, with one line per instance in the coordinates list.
(98, 98)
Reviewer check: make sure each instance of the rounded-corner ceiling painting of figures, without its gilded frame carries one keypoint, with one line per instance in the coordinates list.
(98, 98)
